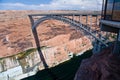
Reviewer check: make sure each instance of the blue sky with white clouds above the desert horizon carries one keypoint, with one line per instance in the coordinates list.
(50, 4)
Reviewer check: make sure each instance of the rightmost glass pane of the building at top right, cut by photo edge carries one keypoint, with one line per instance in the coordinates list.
(116, 12)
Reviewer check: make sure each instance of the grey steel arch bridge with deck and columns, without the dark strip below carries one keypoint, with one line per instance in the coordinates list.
(76, 21)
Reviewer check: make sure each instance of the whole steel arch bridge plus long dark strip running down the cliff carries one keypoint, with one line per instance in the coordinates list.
(75, 20)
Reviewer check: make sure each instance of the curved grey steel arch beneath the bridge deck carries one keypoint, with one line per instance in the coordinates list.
(72, 22)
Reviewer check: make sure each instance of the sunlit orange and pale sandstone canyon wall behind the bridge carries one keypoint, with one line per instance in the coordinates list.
(59, 41)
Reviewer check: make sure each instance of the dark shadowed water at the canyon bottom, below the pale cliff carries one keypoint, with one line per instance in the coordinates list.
(63, 71)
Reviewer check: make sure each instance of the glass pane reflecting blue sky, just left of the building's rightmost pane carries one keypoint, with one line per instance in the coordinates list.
(109, 9)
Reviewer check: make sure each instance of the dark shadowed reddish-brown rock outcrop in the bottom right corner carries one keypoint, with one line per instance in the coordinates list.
(103, 66)
